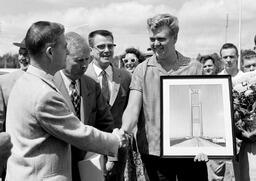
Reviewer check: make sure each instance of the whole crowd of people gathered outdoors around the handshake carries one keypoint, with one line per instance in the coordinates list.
(68, 102)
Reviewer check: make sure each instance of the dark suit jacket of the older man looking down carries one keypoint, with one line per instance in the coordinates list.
(95, 110)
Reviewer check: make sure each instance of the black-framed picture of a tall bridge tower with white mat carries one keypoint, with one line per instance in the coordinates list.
(197, 116)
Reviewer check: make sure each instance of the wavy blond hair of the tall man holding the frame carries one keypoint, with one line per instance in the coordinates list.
(164, 20)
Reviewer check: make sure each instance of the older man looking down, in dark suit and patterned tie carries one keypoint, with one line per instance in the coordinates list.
(94, 110)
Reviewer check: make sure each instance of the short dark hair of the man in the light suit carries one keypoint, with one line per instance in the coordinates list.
(40, 34)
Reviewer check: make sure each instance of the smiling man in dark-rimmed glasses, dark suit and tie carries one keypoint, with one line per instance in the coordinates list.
(102, 46)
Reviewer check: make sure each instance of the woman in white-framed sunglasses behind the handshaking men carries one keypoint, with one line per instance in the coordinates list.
(131, 58)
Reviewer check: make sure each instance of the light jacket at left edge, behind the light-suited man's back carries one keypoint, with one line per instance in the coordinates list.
(6, 83)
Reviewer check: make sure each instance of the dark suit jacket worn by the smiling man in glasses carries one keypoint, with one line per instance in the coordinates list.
(119, 94)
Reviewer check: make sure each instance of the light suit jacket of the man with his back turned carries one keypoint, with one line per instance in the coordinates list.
(42, 127)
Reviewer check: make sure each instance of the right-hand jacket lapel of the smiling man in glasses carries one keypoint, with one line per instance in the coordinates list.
(116, 85)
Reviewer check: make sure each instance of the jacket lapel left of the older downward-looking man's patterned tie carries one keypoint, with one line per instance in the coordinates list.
(62, 88)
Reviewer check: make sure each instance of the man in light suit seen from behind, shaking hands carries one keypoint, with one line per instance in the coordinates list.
(39, 119)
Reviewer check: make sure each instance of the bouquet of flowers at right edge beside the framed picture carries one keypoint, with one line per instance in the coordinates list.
(244, 102)
